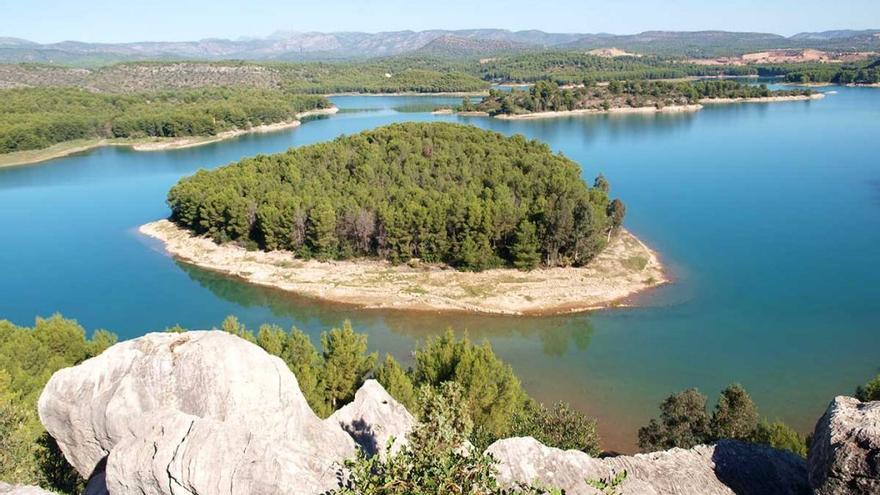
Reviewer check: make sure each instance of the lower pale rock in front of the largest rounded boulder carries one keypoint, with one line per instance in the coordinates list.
(180, 454)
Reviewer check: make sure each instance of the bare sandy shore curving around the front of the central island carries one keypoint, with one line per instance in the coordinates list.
(624, 268)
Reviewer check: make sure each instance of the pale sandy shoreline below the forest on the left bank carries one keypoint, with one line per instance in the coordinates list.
(66, 148)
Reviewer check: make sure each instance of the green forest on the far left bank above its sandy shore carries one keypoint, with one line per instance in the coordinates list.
(35, 118)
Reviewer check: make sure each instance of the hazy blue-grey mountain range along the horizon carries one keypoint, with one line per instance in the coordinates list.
(461, 43)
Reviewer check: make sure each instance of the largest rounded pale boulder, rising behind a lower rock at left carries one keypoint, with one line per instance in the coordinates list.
(89, 408)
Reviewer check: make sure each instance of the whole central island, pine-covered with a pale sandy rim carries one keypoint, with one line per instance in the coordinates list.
(379, 218)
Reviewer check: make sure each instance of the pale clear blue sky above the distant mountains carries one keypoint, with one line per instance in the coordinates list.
(48, 21)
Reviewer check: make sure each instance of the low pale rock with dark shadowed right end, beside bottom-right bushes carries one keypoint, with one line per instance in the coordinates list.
(728, 467)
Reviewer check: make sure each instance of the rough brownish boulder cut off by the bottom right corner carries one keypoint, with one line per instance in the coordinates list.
(845, 452)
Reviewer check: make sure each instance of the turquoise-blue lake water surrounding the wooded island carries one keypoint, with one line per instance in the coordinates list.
(767, 215)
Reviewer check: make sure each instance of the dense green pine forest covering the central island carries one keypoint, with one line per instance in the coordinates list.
(443, 193)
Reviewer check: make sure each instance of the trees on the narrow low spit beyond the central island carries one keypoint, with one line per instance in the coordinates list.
(547, 96)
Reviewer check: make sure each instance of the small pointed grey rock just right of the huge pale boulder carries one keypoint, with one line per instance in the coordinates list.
(373, 418)
